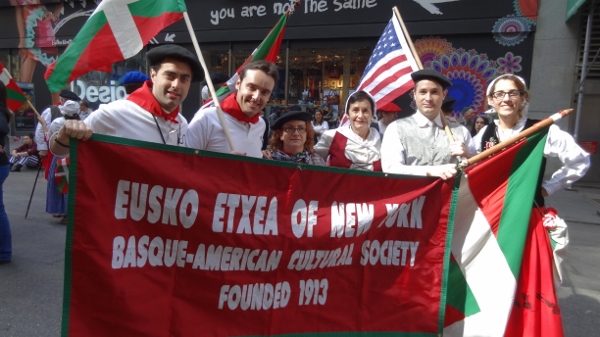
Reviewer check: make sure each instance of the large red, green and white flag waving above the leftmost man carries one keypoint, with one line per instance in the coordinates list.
(116, 30)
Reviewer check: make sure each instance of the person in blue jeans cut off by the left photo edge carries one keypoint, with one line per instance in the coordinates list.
(5, 233)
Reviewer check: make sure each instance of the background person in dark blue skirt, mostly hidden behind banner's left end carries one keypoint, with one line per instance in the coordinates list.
(56, 202)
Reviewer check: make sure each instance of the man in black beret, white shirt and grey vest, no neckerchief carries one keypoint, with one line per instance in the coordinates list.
(418, 145)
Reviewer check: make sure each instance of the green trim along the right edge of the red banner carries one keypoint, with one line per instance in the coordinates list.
(447, 252)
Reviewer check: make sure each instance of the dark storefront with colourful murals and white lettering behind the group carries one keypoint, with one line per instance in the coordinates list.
(326, 45)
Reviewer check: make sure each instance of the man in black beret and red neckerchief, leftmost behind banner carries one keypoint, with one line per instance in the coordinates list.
(150, 113)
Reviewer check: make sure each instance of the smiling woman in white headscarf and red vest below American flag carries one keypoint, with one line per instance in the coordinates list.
(357, 145)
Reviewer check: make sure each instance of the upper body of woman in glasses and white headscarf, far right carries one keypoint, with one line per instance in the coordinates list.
(510, 99)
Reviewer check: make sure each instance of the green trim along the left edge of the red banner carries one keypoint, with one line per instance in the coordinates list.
(69, 240)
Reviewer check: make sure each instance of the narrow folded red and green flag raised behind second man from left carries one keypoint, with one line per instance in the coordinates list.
(267, 50)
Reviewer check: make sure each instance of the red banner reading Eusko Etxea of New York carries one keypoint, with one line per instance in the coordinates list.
(166, 241)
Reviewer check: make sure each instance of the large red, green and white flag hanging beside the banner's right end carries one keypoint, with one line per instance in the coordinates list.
(501, 277)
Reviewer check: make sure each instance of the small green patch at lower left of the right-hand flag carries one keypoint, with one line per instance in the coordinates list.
(460, 296)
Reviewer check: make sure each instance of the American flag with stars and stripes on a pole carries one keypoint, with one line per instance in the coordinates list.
(387, 75)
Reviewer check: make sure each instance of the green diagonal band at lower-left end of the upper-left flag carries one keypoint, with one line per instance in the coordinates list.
(67, 61)
